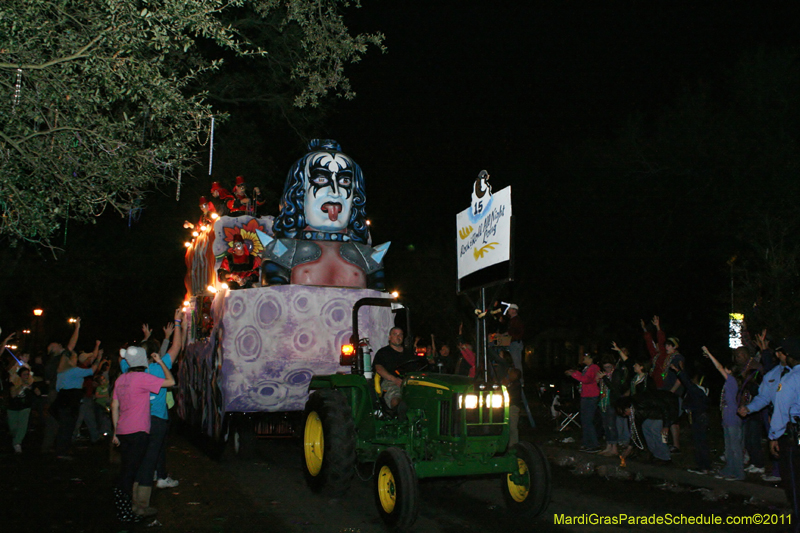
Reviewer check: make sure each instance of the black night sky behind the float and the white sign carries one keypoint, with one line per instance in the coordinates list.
(465, 86)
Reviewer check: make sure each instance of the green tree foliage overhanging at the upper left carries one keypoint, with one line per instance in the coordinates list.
(104, 99)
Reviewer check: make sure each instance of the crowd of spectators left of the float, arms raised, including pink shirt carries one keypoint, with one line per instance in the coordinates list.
(93, 399)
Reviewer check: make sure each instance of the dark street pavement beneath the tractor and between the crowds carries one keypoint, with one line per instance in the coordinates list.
(268, 493)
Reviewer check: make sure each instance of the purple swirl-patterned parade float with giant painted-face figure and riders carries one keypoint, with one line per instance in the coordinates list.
(270, 298)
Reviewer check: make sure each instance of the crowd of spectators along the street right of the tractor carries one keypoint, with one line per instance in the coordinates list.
(637, 404)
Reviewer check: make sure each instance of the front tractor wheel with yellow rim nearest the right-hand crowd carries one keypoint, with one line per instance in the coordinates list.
(531, 496)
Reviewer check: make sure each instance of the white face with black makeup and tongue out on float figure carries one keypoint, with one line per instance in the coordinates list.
(328, 191)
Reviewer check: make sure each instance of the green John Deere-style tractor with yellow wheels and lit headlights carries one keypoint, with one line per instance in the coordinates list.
(453, 426)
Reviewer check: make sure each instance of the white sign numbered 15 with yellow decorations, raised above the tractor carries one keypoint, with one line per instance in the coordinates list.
(484, 230)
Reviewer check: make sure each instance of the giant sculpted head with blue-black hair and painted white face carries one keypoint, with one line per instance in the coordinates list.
(323, 197)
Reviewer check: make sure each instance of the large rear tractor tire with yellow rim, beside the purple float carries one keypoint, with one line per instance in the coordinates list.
(329, 442)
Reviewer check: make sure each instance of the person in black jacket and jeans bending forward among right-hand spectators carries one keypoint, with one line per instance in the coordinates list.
(651, 414)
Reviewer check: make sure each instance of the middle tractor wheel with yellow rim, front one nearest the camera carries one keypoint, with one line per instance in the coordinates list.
(396, 489)
